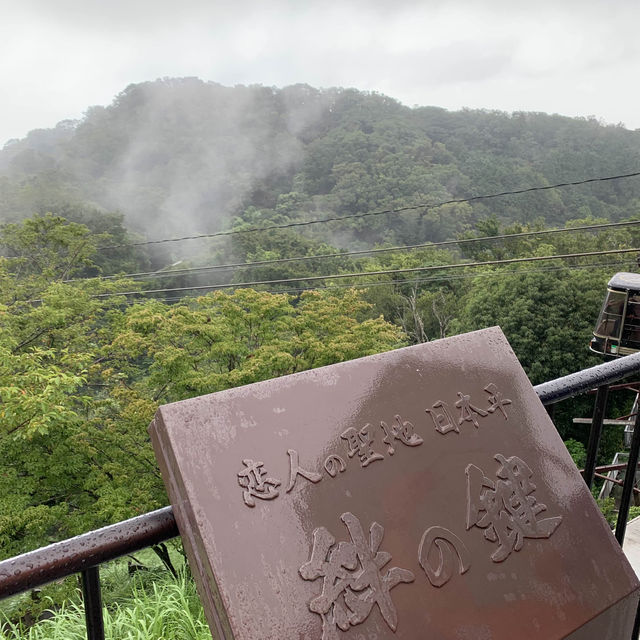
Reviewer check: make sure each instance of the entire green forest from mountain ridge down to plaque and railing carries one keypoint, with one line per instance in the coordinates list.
(101, 319)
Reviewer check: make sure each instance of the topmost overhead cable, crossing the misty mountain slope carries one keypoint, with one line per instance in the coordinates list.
(353, 216)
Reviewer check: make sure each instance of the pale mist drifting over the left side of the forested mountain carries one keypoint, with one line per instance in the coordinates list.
(176, 156)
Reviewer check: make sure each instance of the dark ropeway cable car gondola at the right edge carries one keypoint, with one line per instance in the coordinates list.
(617, 331)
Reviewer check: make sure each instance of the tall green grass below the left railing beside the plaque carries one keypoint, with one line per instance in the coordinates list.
(165, 609)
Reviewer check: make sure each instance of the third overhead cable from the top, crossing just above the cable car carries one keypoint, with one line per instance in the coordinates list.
(256, 283)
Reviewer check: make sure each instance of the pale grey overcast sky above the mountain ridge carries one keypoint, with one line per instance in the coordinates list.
(576, 58)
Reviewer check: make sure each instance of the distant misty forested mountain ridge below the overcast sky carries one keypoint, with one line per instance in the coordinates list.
(180, 156)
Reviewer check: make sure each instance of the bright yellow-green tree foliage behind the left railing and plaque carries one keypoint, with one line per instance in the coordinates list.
(82, 373)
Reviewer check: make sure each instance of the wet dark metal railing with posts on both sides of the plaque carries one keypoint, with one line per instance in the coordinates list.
(85, 553)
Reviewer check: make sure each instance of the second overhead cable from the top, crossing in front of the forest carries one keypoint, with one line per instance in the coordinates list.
(360, 252)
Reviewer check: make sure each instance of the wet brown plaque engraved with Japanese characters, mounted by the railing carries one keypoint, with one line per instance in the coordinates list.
(420, 493)
